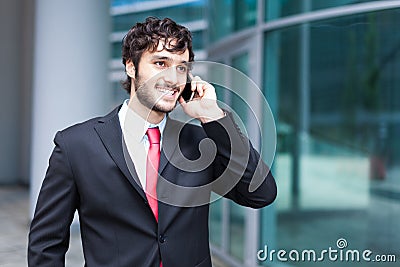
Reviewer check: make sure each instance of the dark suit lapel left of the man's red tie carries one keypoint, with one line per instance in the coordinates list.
(109, 131)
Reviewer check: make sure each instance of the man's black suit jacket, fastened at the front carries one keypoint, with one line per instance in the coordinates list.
(88, 172)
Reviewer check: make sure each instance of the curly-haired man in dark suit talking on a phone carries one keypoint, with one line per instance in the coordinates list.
(136, 206)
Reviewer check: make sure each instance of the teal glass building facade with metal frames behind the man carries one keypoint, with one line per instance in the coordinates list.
(330, 72)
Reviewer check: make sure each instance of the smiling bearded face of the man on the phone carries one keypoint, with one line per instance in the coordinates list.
(160, 80)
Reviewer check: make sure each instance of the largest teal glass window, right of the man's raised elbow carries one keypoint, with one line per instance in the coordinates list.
(338, 156)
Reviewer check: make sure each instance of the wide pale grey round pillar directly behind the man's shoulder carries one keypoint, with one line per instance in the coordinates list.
(70, 81)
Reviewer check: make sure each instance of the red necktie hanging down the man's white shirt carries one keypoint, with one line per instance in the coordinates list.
(152, 163)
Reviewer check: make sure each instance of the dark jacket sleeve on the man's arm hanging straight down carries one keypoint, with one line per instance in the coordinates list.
(50, 228)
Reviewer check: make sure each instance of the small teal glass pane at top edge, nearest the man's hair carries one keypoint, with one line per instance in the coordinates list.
(229, 16)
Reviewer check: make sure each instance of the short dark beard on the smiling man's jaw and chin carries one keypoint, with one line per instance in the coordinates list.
(148, 98)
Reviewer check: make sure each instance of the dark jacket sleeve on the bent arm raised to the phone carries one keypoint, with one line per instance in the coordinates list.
(237, 163)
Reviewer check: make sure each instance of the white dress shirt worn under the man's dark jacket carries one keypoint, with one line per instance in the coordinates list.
(134, 130)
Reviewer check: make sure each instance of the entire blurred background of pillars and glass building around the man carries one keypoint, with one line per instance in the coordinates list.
(330, 70)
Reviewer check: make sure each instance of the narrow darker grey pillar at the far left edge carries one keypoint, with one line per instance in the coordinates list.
(10, 77)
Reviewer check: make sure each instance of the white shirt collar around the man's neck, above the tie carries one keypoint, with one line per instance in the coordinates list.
(136, 126)
